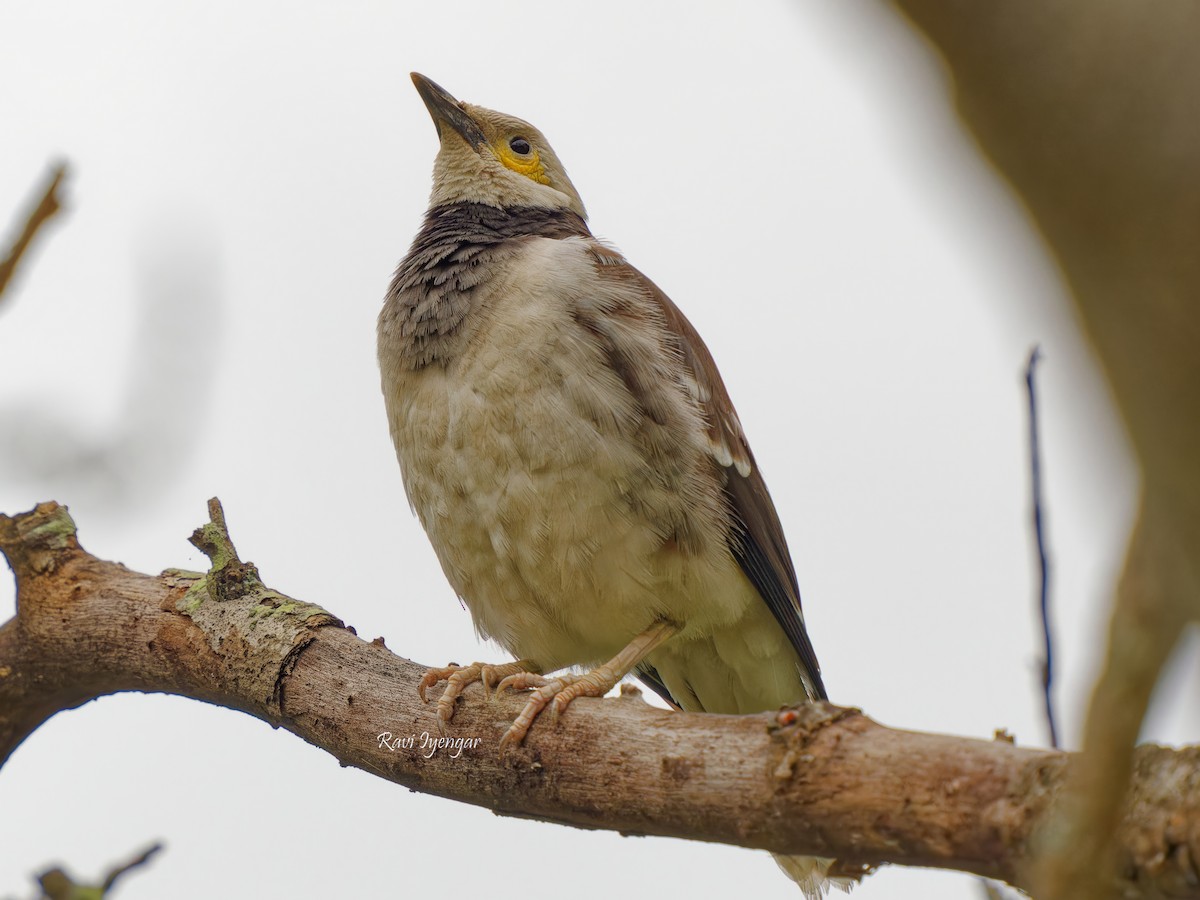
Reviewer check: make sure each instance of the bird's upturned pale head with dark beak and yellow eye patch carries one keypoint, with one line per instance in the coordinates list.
(494, 159)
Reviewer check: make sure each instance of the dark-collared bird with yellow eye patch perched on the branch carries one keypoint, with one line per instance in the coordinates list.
(571, 449)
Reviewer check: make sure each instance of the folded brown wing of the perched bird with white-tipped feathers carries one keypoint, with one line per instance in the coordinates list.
(758, 539)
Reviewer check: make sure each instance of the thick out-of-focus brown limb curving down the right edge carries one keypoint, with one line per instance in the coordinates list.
(1091, 110)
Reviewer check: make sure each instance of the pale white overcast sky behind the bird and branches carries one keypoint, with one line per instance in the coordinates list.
(202, 322)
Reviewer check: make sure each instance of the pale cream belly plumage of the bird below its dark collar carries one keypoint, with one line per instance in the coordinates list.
(514, 461)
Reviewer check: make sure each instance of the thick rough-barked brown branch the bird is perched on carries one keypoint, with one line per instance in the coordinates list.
(817, 779)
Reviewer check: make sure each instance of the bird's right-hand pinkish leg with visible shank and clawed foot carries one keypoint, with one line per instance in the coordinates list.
(560, 691)
